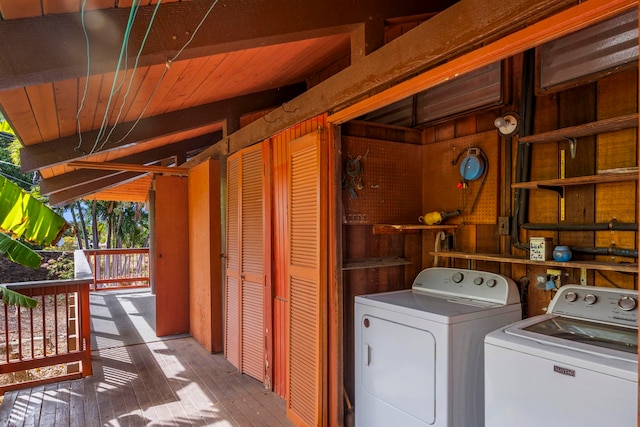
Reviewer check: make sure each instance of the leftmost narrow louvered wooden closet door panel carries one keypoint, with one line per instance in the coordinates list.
(232, 288)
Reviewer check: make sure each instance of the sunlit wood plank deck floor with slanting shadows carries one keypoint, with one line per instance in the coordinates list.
(140, 380)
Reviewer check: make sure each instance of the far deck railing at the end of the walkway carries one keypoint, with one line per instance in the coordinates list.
(119, 268)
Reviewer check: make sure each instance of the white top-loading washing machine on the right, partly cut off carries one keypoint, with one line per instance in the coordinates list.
(576, 365)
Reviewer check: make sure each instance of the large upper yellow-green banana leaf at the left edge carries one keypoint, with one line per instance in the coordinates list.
(24, 216)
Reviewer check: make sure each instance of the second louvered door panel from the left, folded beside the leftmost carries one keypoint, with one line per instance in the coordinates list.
(252, 276)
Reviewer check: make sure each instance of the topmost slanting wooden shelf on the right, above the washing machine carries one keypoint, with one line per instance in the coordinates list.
(587, 129)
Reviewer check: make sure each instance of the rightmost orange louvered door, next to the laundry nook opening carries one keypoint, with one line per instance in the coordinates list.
(307, 278)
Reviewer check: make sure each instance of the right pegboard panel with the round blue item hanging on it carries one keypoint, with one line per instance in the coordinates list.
(441, 192)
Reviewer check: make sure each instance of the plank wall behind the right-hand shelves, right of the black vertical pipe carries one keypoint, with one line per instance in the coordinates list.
(610, 96)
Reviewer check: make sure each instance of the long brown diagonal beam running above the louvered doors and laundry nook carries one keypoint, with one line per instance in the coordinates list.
(411, 55)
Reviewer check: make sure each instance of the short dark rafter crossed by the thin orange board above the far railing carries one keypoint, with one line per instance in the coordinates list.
(70, 180)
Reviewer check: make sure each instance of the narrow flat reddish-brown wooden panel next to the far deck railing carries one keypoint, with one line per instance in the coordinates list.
(171, 255)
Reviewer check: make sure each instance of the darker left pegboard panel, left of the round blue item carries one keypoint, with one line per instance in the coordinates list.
(382, 181)
